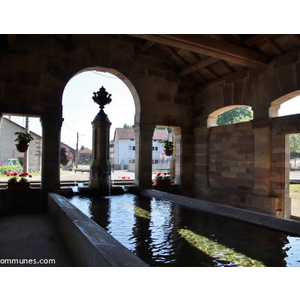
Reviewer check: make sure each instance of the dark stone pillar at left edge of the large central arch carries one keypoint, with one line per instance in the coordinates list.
(50, 175)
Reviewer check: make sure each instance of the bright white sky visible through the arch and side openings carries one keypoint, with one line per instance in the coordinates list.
(79, 109)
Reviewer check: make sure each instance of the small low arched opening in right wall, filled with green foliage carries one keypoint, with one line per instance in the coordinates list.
(233, 114)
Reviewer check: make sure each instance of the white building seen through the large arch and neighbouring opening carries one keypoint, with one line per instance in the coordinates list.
(124, 147)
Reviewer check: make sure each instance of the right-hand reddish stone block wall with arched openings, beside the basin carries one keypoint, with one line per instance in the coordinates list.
(246, 165)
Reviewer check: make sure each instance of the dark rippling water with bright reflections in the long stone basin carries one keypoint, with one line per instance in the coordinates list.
(166, 234)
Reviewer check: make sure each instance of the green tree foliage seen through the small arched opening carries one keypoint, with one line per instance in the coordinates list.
(236, 115)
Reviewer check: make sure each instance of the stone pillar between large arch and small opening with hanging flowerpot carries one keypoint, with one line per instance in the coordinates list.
(143, 155)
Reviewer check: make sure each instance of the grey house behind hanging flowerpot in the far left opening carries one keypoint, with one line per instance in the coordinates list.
(8, 148)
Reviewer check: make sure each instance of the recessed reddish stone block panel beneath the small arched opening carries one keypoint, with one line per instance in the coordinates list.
(231, 157)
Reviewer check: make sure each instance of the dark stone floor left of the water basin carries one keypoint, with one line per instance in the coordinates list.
(31, 240)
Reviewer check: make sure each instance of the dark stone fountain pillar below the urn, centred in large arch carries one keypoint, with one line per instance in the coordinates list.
(100, 167)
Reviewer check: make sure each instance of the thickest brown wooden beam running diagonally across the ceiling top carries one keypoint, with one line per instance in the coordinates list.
(207, 46)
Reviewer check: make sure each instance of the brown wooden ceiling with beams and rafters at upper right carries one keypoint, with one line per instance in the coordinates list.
(205, 58)
